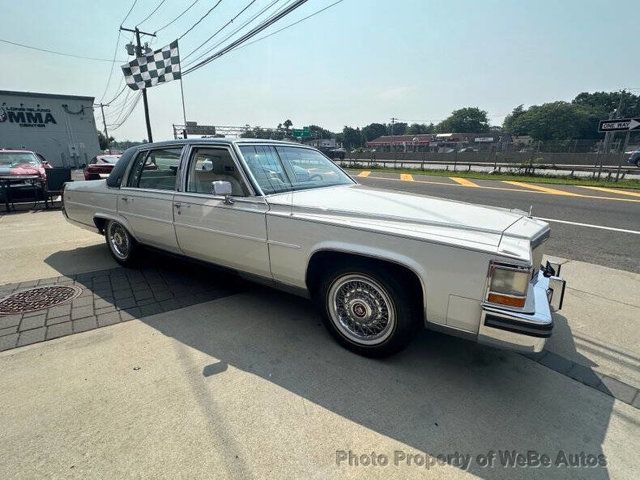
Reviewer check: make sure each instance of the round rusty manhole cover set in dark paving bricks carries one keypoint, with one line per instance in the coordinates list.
(37, 298)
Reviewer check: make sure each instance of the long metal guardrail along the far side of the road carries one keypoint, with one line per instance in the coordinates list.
(617, 172)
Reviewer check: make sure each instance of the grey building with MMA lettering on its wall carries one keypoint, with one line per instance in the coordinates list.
(60, 127)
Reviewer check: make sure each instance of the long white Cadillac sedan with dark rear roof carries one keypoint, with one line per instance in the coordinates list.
(380, 264)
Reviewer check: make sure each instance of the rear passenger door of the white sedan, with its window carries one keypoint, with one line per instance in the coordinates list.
(146, 199)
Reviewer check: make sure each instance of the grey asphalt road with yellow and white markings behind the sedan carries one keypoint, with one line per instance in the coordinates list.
(610, 218)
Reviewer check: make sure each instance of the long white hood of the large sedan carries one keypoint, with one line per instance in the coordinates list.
(416, 216)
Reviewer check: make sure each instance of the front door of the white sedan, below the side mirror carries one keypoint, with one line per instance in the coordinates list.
(229, 232)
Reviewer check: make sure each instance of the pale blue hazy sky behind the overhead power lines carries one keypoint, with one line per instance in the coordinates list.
(358, 62)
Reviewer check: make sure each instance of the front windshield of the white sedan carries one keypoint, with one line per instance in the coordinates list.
(284, 168)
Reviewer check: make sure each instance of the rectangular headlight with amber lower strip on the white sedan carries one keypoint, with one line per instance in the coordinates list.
(508, 285)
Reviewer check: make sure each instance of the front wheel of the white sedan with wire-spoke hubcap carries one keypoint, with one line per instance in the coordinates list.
(367, 311)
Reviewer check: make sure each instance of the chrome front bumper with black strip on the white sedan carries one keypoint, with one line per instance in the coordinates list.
(525, 332)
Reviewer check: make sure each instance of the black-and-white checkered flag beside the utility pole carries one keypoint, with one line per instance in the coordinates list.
(153, 68)
